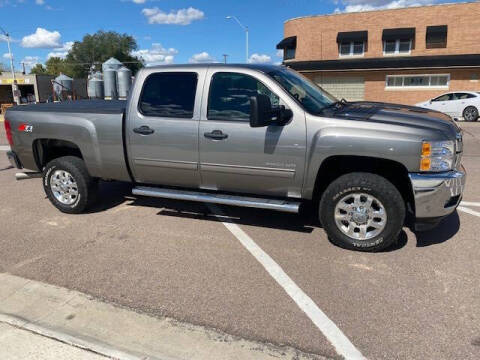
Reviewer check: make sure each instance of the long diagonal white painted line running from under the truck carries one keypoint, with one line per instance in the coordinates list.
(328, 328)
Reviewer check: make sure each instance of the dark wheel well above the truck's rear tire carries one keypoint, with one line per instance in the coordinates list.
(46, 150)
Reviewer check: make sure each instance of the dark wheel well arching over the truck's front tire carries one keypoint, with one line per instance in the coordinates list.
(393, 171)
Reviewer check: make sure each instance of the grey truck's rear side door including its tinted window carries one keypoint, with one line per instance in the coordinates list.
(163, 128)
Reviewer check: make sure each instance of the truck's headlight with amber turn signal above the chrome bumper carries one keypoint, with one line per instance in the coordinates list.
(437, 156)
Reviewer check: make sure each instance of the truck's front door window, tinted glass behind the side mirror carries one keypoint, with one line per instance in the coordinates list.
(230, 93)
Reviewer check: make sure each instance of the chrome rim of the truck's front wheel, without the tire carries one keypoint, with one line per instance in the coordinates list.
(360, 216)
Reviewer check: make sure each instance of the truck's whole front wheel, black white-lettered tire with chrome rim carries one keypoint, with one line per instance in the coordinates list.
(356, 225)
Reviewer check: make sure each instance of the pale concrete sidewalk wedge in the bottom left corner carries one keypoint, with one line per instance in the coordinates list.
(17, 344)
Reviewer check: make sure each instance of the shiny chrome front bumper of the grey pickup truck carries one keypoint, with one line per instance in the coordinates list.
(437, 195)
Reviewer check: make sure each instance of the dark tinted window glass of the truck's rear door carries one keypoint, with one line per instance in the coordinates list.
(169, 94)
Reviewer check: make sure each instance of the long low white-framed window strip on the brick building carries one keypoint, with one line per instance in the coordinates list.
(417, 81)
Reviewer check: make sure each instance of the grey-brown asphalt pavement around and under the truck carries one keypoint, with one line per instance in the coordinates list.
(418, 300)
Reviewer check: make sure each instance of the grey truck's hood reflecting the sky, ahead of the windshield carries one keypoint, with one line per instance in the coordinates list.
(398, 115)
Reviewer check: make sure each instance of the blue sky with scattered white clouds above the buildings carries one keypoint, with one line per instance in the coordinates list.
(167, 31)
